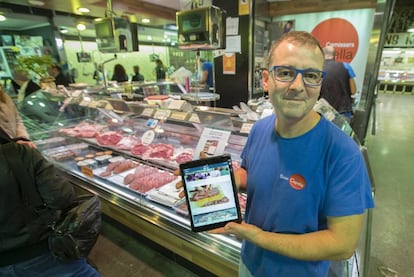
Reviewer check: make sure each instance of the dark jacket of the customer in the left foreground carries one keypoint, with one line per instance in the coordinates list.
(24, 233)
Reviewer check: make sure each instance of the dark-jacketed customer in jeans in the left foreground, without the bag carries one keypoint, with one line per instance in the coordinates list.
(24, 249)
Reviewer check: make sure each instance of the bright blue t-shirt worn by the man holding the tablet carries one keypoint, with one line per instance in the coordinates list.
(294, 184)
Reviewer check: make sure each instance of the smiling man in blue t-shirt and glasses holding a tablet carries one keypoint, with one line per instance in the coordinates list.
(306, 180)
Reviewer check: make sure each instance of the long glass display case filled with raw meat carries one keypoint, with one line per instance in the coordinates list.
(128, 158)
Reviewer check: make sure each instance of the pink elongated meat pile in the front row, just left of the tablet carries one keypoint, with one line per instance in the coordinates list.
(156, 180)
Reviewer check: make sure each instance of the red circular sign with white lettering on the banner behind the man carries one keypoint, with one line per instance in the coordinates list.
(340, 34)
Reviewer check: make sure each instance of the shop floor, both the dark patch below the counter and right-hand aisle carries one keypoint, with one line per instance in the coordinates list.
(119, 252)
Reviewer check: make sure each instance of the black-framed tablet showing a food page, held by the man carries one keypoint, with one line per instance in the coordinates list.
(210, 192)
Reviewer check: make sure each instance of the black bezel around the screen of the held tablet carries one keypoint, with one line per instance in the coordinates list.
(205, 162)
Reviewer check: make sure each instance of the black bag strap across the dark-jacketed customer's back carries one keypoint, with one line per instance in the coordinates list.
(28, 190)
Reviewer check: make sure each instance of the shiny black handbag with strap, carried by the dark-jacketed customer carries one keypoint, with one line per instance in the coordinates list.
(76, 230)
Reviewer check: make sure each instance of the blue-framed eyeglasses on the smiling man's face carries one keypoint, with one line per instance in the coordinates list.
(287, 74)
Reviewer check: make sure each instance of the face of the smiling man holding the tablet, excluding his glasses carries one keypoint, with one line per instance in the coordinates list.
(294, 100)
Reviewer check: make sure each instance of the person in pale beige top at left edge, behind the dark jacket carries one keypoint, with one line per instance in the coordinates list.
(10, 121)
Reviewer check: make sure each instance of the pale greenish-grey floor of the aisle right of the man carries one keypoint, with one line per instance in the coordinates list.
(391, 152)
